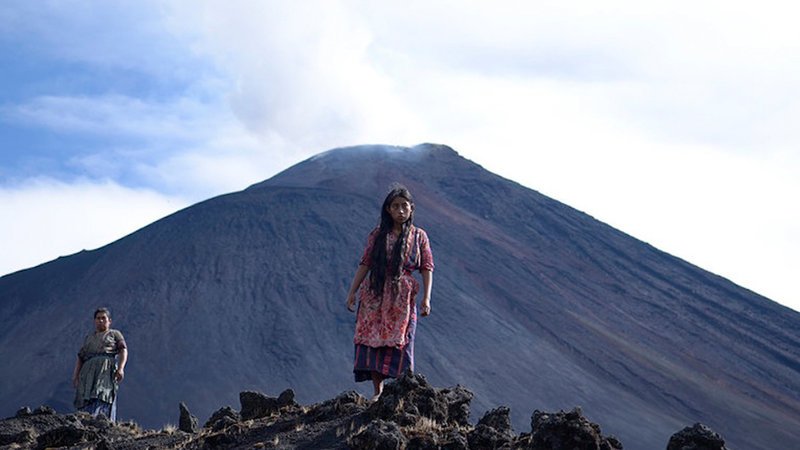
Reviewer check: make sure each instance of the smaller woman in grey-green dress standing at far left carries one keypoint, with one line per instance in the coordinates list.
(97, 374)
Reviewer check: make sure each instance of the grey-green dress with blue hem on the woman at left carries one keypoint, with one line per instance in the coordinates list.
(97, 389)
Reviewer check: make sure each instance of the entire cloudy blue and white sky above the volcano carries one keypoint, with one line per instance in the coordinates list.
(674, 123)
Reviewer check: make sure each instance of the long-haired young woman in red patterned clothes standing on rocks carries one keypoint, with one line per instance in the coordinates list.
(386, 319)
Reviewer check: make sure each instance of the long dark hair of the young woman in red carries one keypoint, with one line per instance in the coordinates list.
(379, 269)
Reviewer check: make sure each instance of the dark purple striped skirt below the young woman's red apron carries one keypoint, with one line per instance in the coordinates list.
(389, 361)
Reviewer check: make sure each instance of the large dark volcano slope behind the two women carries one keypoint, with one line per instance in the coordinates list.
(535, 305)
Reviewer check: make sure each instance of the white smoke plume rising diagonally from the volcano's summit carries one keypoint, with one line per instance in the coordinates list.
(300, 70)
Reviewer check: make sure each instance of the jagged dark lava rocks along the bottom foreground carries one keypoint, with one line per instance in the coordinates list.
(411, 414)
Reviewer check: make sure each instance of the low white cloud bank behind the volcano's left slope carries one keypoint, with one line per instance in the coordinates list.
(44, 218)
